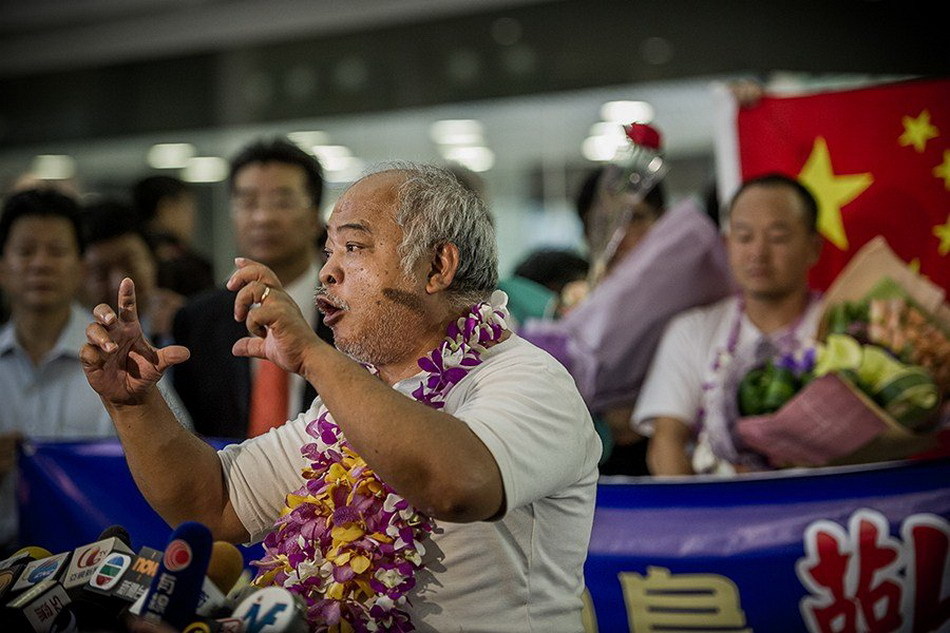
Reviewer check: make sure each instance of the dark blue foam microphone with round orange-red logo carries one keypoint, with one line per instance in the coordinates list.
(174, 593)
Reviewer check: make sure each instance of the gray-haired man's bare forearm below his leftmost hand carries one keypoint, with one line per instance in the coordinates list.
(179, 474)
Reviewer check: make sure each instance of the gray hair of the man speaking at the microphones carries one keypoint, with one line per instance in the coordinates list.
(435, 208)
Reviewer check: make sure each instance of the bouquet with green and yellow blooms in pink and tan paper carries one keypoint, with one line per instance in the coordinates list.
(871, 389)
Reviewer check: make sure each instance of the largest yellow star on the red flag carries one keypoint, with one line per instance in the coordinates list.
(832, 191)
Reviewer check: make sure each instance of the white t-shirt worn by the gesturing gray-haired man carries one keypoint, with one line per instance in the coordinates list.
(522, 572)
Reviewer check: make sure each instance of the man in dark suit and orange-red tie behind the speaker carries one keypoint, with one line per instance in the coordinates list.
(276, 190)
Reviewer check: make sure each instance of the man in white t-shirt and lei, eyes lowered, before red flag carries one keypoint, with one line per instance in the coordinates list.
(772, 242)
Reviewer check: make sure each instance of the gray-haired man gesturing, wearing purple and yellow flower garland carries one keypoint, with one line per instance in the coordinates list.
(445, 477)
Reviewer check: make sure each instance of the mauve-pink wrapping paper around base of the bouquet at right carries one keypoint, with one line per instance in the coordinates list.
(829, 422)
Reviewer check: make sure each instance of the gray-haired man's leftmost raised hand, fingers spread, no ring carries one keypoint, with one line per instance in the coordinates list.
(119, 362)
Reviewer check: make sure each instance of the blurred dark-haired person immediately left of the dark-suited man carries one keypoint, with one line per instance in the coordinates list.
(167, 208)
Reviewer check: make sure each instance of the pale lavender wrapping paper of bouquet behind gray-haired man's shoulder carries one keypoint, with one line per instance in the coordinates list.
(608, 340)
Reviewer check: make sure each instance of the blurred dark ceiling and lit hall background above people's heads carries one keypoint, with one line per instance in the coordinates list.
(527, 94)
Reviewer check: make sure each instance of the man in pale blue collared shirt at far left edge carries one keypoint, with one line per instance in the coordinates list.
(42, 386)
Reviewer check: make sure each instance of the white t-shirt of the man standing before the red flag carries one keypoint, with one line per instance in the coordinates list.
(674, 386)
